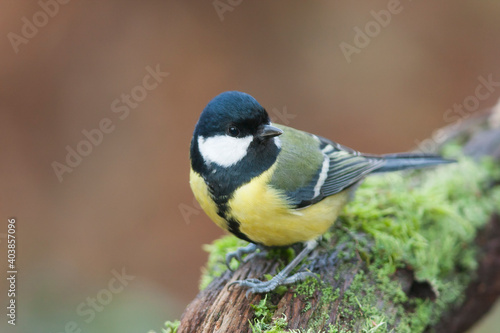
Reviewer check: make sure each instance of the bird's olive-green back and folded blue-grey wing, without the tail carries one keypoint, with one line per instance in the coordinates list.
(311, 168)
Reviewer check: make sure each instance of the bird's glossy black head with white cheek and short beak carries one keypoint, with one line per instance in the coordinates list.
(233, 129)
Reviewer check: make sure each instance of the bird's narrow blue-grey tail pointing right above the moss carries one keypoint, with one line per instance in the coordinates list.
(402, 161)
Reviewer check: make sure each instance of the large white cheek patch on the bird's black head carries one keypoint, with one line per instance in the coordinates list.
(224, 150)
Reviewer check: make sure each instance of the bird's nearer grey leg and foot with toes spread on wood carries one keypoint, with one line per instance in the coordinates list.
(282, 278)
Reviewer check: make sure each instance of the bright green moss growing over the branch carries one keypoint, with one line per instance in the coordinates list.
(423, 220)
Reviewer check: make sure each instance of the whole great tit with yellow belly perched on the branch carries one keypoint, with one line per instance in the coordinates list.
(273, 185)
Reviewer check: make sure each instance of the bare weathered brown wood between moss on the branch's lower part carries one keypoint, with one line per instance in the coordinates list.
(222, 309)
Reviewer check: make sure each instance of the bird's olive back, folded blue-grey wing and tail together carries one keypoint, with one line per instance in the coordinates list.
(329, 168)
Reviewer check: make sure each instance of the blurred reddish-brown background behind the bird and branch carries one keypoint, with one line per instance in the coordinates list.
(121, 207)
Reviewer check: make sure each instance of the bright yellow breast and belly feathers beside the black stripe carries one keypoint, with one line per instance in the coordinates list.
(264, 215)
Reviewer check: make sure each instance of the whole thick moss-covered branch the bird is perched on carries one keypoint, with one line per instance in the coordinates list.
(414, 252)
